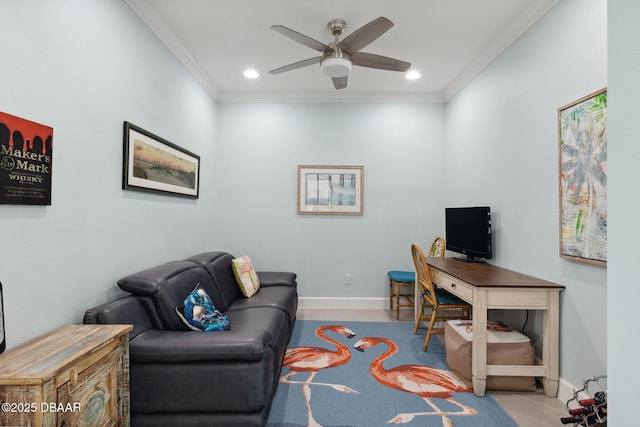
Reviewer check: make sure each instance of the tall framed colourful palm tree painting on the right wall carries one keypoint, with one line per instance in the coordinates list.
(582, 141)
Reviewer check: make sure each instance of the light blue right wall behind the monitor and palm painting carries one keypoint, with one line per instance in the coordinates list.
(502, 151)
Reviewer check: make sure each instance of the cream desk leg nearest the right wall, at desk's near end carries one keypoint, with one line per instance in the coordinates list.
(550, 343)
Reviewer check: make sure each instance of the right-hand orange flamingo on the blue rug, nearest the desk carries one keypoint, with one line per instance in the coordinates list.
(424, 381)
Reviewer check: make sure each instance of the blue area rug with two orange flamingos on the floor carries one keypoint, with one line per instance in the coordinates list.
(373, 374)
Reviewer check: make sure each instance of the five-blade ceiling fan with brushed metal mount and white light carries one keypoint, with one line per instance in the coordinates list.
(338, 57)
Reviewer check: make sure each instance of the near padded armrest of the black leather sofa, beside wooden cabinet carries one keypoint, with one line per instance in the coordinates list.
(155, 345)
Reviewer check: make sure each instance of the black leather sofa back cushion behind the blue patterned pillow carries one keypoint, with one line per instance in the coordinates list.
(167, 285)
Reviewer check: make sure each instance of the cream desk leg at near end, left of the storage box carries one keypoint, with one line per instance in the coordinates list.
(479, 343)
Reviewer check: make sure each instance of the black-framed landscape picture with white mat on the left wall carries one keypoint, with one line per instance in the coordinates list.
(153, 164)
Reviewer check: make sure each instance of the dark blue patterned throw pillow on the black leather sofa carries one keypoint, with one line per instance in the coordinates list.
(198, 312)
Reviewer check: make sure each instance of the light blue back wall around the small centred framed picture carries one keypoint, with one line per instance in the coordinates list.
(258, 148)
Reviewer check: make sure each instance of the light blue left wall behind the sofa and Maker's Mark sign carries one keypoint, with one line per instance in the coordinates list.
(83, 68)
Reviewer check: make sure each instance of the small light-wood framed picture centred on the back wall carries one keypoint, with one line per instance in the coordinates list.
(333, 190)
